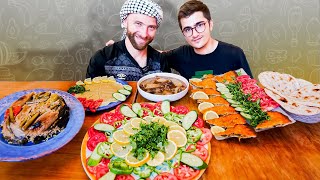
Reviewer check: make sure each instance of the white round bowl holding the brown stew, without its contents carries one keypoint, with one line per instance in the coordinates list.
(158, 97)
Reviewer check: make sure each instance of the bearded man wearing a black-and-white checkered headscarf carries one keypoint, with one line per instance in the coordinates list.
(132, 57)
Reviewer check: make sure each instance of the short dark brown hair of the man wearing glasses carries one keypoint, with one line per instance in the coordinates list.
(192, 6)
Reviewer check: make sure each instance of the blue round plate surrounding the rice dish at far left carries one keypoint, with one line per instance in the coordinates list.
(10, 152)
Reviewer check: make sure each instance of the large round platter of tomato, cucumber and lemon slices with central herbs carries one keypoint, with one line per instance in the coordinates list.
(147, 140)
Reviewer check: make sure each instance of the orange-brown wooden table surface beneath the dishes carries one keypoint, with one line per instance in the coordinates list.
(290, 152)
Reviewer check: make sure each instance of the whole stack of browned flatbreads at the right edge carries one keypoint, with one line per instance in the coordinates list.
(297, 96)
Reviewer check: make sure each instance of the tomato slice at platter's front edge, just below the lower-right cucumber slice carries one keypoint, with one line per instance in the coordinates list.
(184, 172)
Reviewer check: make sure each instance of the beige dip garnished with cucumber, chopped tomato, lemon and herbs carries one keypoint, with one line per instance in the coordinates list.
(100, 92)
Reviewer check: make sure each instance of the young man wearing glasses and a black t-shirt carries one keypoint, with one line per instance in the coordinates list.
(203, 52)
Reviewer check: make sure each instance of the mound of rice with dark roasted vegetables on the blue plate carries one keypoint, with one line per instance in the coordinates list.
(35, 117)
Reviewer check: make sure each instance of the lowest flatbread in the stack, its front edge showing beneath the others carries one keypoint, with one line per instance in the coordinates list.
(293, 106)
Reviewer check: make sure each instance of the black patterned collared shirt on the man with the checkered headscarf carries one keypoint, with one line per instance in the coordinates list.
(115, 60)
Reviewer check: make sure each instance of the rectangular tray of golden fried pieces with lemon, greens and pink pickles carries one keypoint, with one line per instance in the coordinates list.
(235, 106)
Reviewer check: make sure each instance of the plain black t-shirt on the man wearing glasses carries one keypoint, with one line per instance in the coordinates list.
(224, 58)
